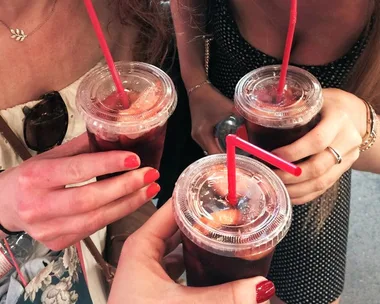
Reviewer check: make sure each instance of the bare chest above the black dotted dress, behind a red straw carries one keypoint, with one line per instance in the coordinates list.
(264, 25)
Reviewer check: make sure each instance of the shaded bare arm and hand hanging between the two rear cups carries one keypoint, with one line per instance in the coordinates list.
(207, 105)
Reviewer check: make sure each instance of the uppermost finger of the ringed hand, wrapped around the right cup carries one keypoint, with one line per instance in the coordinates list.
(317, 140)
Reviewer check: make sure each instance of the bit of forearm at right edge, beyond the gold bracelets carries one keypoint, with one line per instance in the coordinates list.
(370, 160)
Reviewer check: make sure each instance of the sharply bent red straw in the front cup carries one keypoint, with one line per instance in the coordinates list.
(232, 142)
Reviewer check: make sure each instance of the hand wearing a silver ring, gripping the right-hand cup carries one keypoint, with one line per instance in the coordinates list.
(342, 127)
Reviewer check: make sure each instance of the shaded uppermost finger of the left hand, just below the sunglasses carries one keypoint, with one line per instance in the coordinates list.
(77, 145)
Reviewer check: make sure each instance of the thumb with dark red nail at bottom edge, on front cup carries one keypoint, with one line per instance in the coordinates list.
(256, 290)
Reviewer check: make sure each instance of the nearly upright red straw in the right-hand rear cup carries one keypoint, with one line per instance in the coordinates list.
(288, 48)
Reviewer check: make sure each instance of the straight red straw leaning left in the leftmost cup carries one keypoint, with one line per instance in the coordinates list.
(106, 52)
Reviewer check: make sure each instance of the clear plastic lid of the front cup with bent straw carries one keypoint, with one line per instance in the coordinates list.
(257, 224)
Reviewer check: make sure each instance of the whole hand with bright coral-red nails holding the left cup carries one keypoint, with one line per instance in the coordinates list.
(35, 200)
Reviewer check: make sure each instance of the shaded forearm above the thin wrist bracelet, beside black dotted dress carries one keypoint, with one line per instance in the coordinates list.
(189, 17)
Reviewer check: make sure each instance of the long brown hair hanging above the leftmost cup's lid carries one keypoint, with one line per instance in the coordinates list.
(152, 19)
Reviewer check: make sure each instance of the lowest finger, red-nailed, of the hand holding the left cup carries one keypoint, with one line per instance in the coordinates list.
(86, 224)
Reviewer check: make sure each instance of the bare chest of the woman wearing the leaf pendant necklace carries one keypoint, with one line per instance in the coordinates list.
(63, 50)
